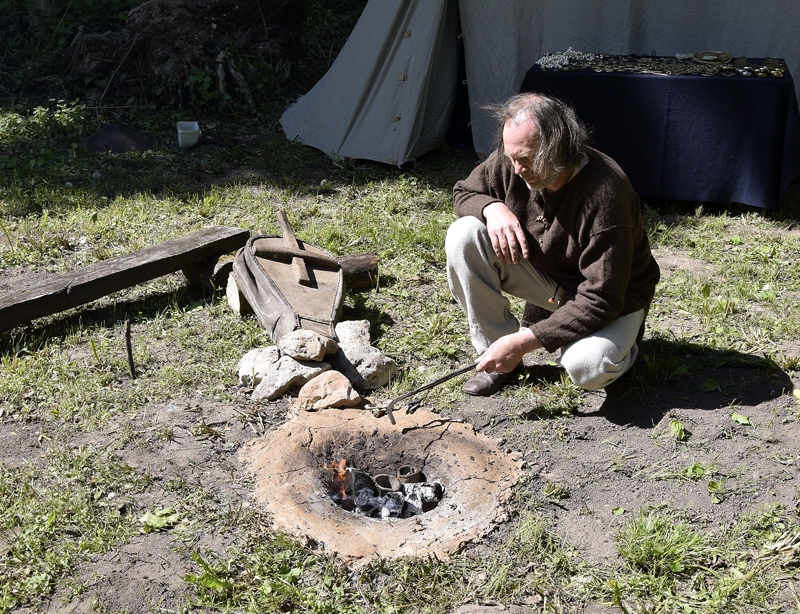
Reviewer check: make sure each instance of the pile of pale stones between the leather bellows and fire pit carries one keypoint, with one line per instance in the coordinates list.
(327, 374)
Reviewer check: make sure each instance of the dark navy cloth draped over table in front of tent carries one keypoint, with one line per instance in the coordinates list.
(688, 137)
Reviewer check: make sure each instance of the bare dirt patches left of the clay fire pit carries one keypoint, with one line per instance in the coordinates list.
(147, 572)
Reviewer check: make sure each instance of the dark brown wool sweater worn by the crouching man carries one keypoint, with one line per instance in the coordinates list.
(588, 236)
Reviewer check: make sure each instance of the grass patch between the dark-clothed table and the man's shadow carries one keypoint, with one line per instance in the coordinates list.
(744, 298)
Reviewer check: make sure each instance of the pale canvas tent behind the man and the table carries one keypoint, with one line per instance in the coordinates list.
(389, 95)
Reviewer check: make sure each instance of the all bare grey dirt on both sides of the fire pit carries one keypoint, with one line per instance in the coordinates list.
(611, 458)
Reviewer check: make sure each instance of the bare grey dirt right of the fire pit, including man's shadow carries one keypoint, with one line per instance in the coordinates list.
(618, 452)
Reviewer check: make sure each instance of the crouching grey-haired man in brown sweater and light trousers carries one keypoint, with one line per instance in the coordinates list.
(554, 222)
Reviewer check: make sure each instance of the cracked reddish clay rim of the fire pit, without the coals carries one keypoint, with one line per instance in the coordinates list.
(290, 467)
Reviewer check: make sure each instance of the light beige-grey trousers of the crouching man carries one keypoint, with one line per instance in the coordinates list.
(478, 279)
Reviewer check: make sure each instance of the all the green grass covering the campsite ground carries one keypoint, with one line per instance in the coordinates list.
(68, 376)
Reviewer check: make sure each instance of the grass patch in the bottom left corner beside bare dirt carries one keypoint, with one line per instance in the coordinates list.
(58, 514)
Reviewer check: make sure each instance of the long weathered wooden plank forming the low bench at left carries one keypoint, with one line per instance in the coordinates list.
(67, 290)
